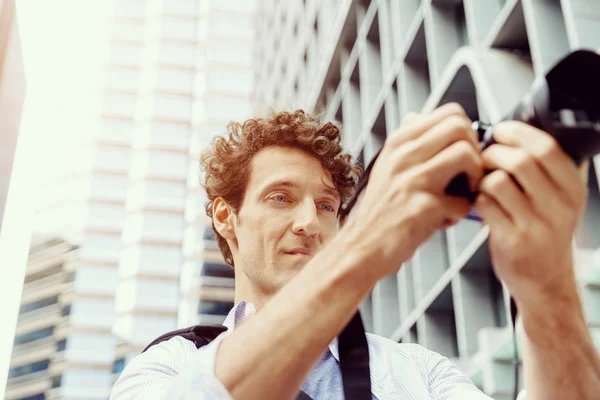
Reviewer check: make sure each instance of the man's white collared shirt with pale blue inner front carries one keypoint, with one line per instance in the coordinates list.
(176, 369)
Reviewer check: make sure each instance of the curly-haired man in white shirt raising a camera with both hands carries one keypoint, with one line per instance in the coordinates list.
(275, 186)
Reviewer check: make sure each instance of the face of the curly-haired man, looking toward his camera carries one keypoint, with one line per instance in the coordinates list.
(288, 213)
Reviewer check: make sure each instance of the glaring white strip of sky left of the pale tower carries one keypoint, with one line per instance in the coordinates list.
(64, 44)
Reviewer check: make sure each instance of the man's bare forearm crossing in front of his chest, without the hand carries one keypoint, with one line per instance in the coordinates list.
(270, 354)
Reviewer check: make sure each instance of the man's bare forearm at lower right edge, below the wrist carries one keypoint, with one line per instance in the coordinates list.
(560, 361)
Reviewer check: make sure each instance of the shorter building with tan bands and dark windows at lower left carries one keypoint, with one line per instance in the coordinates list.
(38, 357)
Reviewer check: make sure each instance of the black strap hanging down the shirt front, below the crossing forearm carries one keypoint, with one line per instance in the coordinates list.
(354, 360)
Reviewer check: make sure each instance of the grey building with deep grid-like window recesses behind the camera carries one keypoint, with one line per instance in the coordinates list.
(369, 63)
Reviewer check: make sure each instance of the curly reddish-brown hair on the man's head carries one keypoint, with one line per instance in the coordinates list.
(226, 161)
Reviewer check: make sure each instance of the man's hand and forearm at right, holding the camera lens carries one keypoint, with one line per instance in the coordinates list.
(533, 201)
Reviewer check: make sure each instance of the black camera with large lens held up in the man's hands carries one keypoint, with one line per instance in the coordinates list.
(564, 103)
